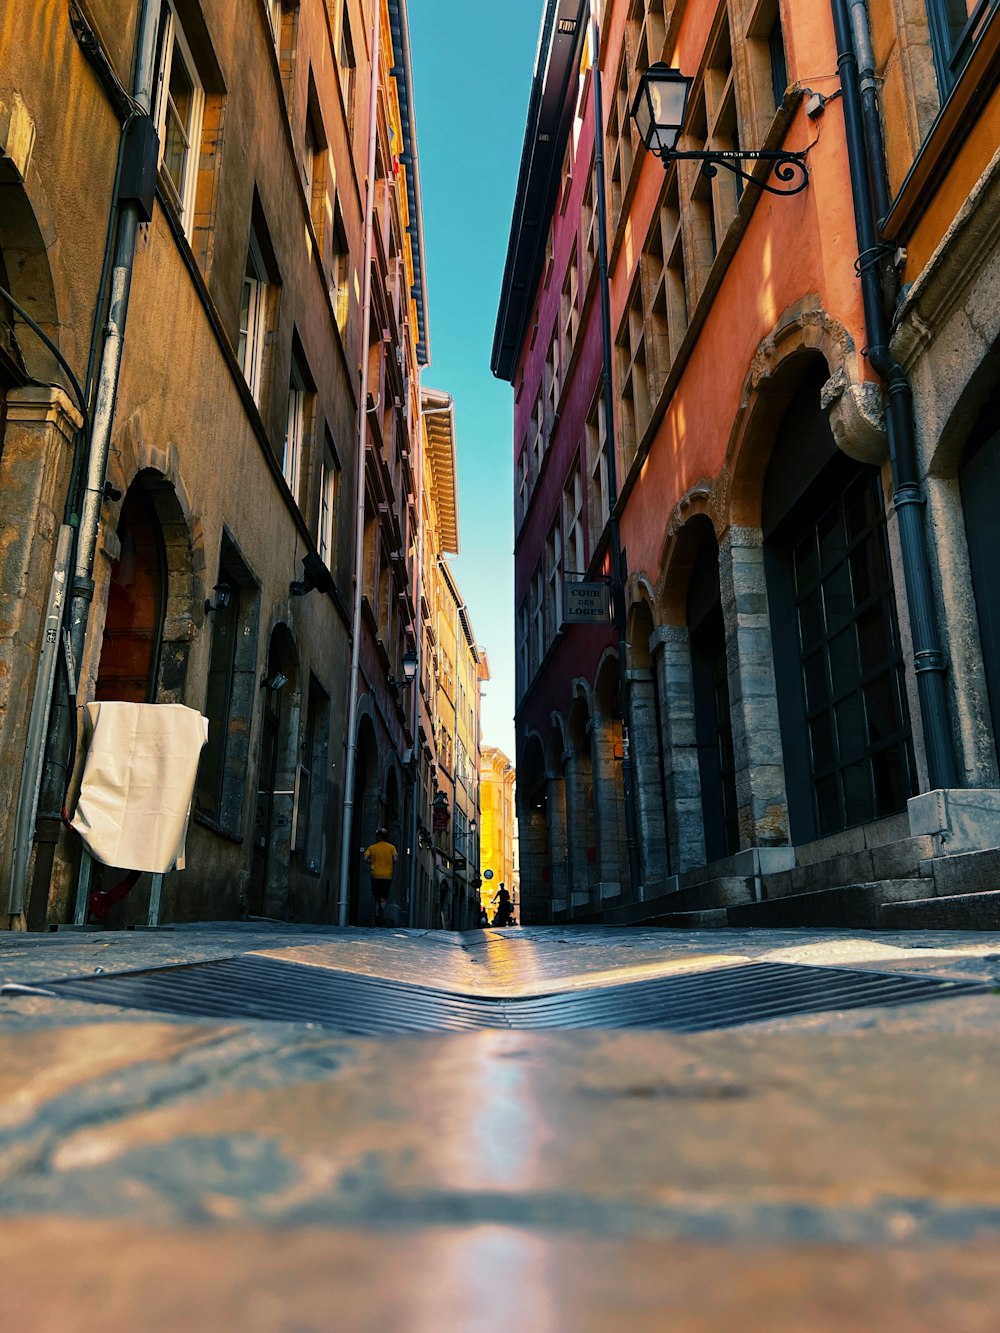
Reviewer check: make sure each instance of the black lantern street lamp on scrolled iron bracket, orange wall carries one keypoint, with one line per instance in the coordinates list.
(661, 110)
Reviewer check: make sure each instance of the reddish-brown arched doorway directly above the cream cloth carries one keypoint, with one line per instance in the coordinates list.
(134, 623)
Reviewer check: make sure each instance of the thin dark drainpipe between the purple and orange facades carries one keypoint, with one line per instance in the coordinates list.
(617, 573)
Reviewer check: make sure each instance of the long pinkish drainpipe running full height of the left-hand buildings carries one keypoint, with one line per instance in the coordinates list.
(346, 834)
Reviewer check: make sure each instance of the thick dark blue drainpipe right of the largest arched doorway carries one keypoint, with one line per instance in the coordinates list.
(930, 663)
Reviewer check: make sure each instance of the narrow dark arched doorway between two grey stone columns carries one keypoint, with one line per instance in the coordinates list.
(710, 675)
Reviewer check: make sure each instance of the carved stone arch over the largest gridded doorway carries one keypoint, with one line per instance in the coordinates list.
(805, 335)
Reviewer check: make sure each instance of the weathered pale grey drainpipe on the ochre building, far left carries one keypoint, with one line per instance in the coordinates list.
(110, 369)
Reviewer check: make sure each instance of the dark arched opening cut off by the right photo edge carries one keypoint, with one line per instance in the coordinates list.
(979, 482)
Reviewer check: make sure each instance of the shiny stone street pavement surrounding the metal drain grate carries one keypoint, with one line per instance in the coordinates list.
(837, 1171)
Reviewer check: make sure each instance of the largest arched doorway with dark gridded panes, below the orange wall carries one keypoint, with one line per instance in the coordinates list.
(838, 658)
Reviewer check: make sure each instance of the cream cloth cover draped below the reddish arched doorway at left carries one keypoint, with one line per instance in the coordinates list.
(138, 783)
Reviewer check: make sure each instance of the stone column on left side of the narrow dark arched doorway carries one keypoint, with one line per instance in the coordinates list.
(686, 826)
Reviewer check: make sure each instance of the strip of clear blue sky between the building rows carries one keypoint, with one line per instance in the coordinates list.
(473, 67)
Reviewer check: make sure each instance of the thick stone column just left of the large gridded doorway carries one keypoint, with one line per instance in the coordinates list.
(761, 776)
